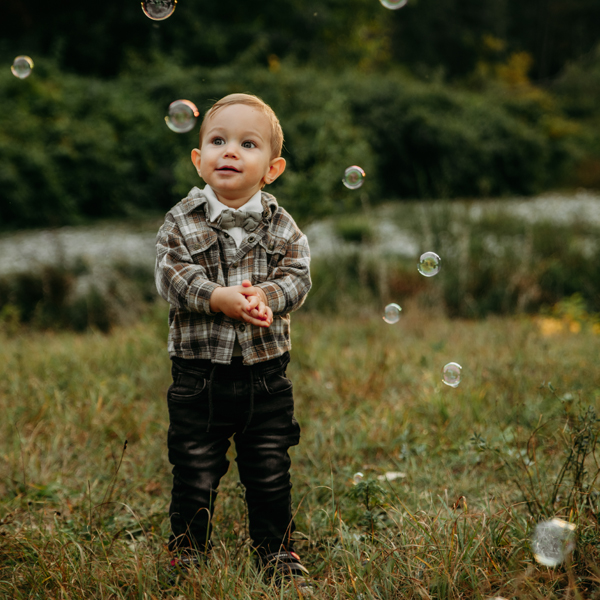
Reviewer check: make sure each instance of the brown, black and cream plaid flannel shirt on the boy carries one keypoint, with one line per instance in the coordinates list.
(195, 256)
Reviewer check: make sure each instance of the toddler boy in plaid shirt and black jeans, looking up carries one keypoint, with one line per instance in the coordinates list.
(232, 264)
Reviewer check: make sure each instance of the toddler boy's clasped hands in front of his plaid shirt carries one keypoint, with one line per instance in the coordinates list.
(243, 303)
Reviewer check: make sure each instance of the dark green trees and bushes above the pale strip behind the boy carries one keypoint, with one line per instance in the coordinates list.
(501, 99)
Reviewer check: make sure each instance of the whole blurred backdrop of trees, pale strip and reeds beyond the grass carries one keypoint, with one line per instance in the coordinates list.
(445, 104)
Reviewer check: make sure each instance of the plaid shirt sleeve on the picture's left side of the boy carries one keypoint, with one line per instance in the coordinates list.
(181, 282)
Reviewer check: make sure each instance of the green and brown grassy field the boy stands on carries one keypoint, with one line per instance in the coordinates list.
(84, 477)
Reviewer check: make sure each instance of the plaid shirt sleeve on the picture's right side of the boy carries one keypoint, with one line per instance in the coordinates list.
(290, 281)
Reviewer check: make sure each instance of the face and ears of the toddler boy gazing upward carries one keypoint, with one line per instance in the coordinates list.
(235, 155)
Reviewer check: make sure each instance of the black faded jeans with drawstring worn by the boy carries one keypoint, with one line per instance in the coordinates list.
(207, 405)
